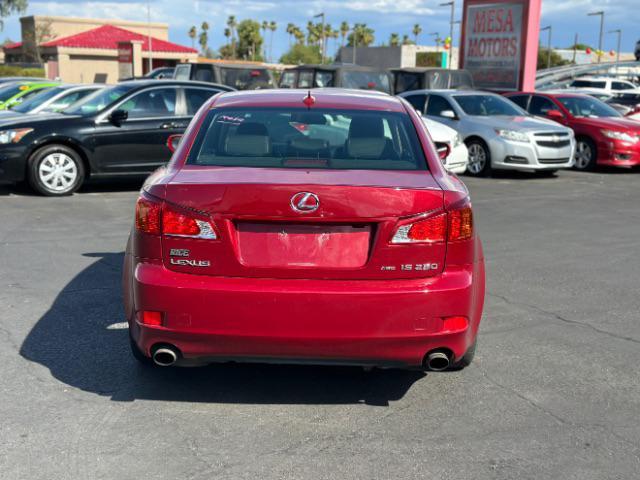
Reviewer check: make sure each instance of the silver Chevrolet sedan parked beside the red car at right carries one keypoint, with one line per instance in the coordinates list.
(498, 133)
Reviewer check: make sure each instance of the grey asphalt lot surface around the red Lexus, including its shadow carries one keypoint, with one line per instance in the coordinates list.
(554, 392)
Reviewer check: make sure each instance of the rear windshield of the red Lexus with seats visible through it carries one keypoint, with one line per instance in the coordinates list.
(301, 138)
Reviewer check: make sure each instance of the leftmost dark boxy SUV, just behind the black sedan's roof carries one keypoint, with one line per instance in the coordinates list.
(236, 76)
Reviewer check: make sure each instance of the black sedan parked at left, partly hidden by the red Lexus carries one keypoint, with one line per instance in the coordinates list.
(120, 130)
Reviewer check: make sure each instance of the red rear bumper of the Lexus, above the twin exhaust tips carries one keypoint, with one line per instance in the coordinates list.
(346, 322)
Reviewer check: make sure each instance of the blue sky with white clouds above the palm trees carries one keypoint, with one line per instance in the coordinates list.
(567, 17)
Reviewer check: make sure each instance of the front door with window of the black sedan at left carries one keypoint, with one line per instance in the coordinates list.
(138, 144)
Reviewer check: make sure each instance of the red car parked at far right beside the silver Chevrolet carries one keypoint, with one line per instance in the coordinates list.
(603, 136)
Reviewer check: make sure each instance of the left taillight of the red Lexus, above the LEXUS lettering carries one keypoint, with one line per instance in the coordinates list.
(157, 218)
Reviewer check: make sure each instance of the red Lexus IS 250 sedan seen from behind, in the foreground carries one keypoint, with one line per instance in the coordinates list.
(309, 229)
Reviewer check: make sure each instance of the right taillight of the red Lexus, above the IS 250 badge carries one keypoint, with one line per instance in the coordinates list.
(452, 226)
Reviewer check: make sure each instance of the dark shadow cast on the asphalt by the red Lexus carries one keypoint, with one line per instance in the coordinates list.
(80, 342)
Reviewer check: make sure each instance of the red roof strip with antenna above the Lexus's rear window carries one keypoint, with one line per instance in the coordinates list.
(324, 98)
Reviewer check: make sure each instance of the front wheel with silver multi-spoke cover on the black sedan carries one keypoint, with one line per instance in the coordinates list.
(55, 171)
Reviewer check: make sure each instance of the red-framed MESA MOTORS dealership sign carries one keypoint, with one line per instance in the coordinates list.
(499, 44)
